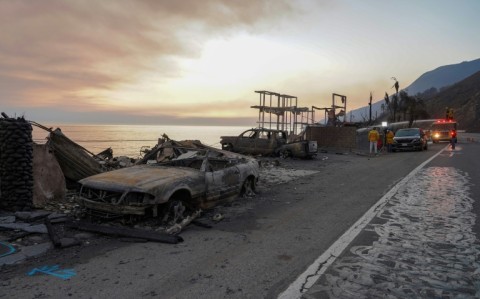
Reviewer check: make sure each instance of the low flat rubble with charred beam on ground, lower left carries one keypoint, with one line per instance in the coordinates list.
(25, 235)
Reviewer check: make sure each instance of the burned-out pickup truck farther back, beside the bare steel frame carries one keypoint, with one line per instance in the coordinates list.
(268, 142)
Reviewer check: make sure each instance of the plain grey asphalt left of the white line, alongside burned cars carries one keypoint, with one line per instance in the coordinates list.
(257, 251)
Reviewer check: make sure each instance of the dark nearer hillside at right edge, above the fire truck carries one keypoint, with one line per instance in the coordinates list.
(464, 98)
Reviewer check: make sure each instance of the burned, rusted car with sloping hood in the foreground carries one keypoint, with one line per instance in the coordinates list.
(198, 178)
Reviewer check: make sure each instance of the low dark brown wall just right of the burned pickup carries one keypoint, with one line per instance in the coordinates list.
(336, 137)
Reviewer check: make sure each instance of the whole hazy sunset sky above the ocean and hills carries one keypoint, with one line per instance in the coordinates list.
(199, 62)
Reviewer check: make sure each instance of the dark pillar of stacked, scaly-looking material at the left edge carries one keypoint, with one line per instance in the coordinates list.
(16, 170)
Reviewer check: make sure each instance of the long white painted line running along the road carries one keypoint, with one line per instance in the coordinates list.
(321, 264)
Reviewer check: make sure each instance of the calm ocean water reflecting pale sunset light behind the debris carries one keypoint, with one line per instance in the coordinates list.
(128, 140)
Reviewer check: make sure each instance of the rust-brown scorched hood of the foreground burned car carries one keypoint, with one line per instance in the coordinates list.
(140, 177)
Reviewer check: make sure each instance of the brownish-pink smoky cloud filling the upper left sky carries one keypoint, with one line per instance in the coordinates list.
(73, 53)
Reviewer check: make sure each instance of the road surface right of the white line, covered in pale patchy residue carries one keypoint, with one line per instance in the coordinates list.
(423, 243)
